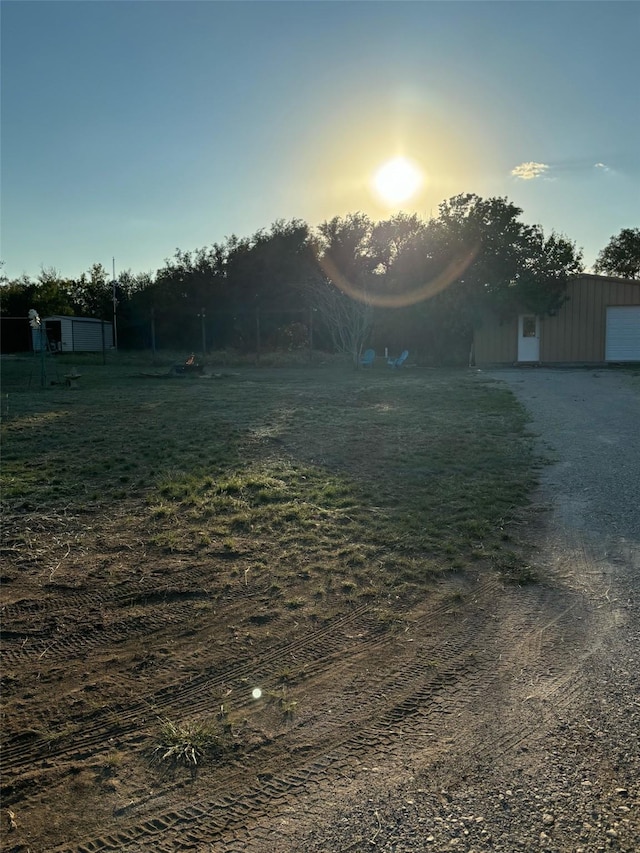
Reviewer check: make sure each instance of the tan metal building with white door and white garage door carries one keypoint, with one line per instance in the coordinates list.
(599, 323)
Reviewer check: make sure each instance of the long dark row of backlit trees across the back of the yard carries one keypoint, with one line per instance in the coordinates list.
(401, 283)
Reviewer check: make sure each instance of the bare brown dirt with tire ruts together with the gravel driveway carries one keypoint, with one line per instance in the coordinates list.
(490, 717)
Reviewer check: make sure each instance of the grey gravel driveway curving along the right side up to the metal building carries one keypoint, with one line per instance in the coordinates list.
(548, 757)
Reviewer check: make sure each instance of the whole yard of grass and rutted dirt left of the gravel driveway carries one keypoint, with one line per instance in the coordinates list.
(170, 544)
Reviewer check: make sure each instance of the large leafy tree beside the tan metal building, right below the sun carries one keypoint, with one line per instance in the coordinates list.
(475, 256)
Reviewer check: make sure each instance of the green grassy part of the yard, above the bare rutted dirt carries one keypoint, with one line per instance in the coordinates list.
(320, 479)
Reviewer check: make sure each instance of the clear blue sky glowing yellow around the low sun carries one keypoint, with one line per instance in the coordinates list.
(131, 128)
